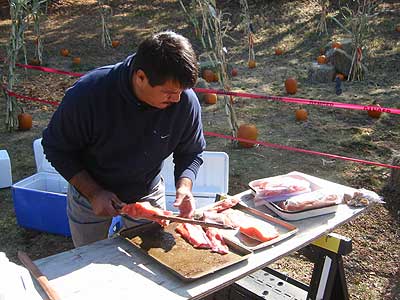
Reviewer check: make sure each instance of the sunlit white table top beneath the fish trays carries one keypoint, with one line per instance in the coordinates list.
(113, 269)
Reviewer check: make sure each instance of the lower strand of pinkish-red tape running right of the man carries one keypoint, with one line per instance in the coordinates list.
(277, 146)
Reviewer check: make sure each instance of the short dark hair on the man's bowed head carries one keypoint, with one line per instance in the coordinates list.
(167, 56)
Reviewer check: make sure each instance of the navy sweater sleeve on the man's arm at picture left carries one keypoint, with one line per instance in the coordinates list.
(67, 132)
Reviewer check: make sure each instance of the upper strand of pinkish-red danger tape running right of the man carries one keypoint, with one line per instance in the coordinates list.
(301, 101)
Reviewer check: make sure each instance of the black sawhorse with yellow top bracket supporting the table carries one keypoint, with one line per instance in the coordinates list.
(327, 282)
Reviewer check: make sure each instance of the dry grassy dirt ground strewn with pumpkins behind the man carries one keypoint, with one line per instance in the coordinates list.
(373, 267)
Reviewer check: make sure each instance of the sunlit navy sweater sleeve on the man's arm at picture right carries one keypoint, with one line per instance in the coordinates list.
(188, 154)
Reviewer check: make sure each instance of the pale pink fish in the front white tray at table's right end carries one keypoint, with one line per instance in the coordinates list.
(317, 199)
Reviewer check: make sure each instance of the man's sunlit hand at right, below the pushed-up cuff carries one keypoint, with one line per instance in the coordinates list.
(184, 198)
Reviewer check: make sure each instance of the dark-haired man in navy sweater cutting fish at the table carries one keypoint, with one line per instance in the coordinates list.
(117, 124)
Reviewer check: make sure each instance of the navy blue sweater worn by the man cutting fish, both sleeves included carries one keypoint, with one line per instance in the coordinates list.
(101, 127)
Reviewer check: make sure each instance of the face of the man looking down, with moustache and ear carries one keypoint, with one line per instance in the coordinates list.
(159, 96)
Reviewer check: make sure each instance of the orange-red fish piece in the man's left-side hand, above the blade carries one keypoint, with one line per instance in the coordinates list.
(144, 210)
